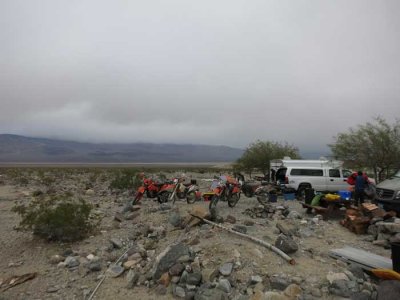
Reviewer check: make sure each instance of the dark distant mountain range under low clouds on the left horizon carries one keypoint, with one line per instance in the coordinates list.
(21, 149)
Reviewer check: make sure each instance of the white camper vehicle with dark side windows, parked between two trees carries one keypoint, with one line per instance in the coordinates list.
(321, 175)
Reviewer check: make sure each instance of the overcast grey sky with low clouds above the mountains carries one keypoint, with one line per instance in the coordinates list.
(222, 72)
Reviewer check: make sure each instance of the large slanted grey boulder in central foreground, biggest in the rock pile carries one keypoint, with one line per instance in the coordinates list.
(166, 259)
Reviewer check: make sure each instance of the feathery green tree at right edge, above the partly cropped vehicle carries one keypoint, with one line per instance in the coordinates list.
(373, 145)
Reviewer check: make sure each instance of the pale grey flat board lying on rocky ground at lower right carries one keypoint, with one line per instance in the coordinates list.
(365, 259)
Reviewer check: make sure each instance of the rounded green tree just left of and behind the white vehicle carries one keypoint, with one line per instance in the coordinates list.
(258, 155)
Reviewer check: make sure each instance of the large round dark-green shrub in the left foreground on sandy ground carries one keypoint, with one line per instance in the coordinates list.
(56, 218)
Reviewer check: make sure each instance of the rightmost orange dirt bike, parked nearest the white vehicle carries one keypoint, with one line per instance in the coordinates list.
(225, 189)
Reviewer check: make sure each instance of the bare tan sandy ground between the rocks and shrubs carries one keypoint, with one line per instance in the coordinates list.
(22, 253)
